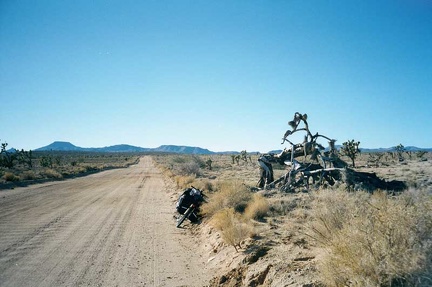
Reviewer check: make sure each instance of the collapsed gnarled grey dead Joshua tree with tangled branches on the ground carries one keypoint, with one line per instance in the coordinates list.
(324, 166)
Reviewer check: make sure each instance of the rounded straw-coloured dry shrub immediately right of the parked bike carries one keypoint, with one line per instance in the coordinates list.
(229, 194)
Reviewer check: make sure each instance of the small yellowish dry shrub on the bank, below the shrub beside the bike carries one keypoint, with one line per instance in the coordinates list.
(232, 226)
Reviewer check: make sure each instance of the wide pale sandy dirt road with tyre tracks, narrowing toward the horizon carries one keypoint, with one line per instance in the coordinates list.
(114, 228)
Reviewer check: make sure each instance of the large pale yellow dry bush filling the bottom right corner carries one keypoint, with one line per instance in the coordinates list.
(373, 240)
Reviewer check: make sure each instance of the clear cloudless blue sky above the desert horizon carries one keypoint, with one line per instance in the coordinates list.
(221, 75)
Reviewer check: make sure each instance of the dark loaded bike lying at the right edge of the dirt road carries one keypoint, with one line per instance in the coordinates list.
(188, 205)
